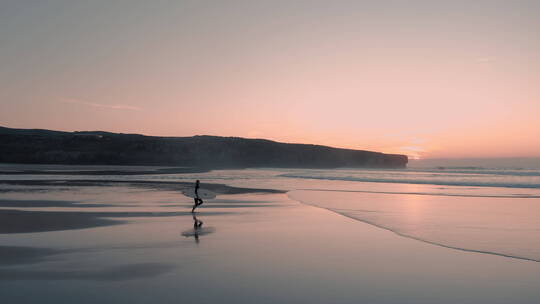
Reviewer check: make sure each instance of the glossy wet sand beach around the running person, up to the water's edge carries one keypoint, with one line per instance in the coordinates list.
(126, 243)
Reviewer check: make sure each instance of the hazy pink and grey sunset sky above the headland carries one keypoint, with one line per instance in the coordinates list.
(430, 79)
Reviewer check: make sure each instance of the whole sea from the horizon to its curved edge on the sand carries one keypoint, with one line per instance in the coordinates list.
(483, 210)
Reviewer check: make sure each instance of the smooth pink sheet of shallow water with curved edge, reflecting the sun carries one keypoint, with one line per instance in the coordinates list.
(492, 225)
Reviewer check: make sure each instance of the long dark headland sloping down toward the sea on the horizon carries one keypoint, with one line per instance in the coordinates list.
(36, 146)
